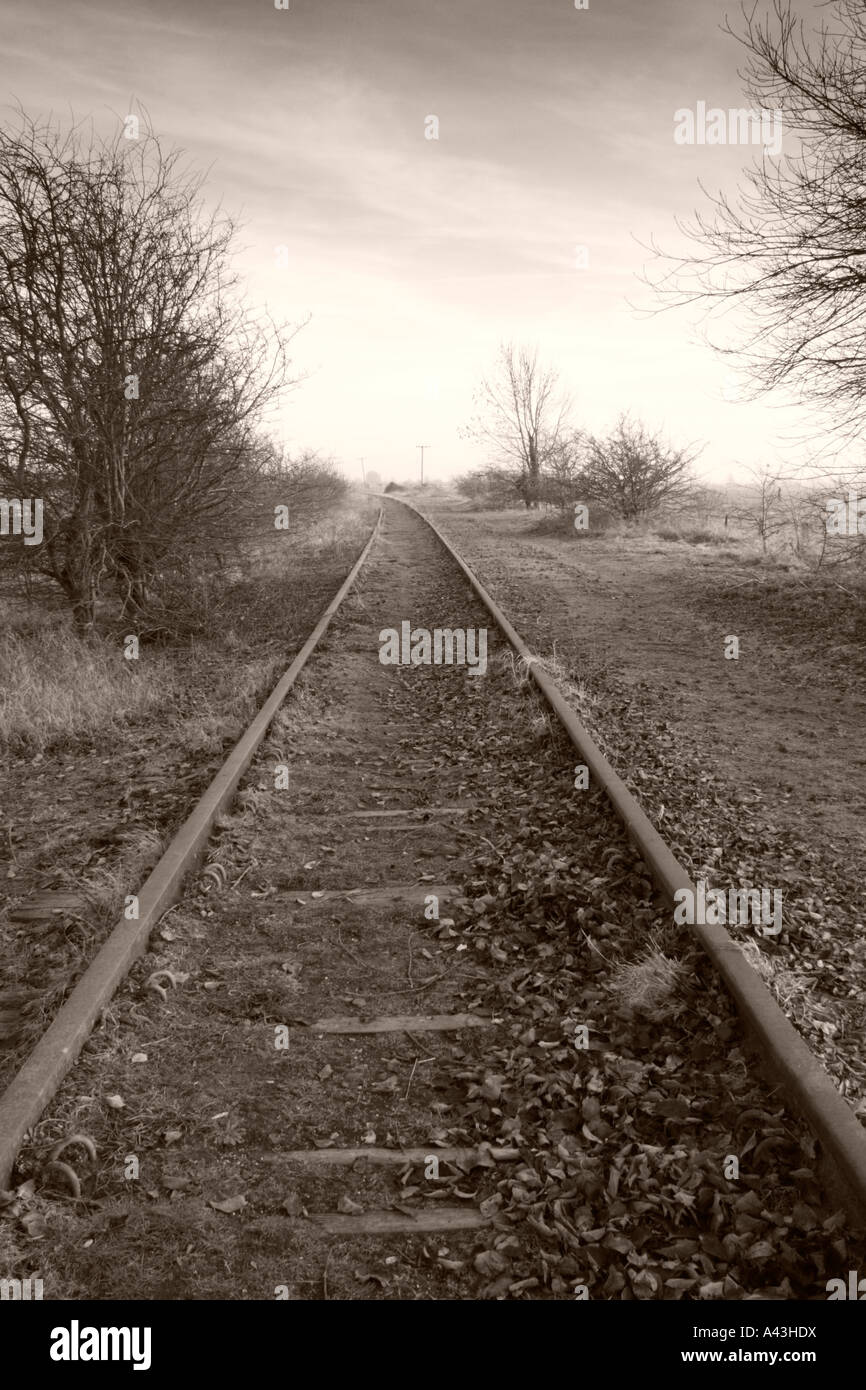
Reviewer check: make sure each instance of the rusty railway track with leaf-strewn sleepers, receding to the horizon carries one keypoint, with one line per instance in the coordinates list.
(401, 1036)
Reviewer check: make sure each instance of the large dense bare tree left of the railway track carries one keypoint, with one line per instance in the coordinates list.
(133, 379)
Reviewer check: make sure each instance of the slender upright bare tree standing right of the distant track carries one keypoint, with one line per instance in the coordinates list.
(522, 414)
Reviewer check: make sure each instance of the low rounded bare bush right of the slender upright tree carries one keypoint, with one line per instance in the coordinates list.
(633, 472)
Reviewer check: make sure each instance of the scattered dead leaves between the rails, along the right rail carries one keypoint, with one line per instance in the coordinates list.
(626, 1188)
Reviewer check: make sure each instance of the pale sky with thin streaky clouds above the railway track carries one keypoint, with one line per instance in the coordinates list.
(416, 256)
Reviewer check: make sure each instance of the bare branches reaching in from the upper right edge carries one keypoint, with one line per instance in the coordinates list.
(790, 245)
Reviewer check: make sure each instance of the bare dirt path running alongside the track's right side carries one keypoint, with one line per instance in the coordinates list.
(786, 717)
